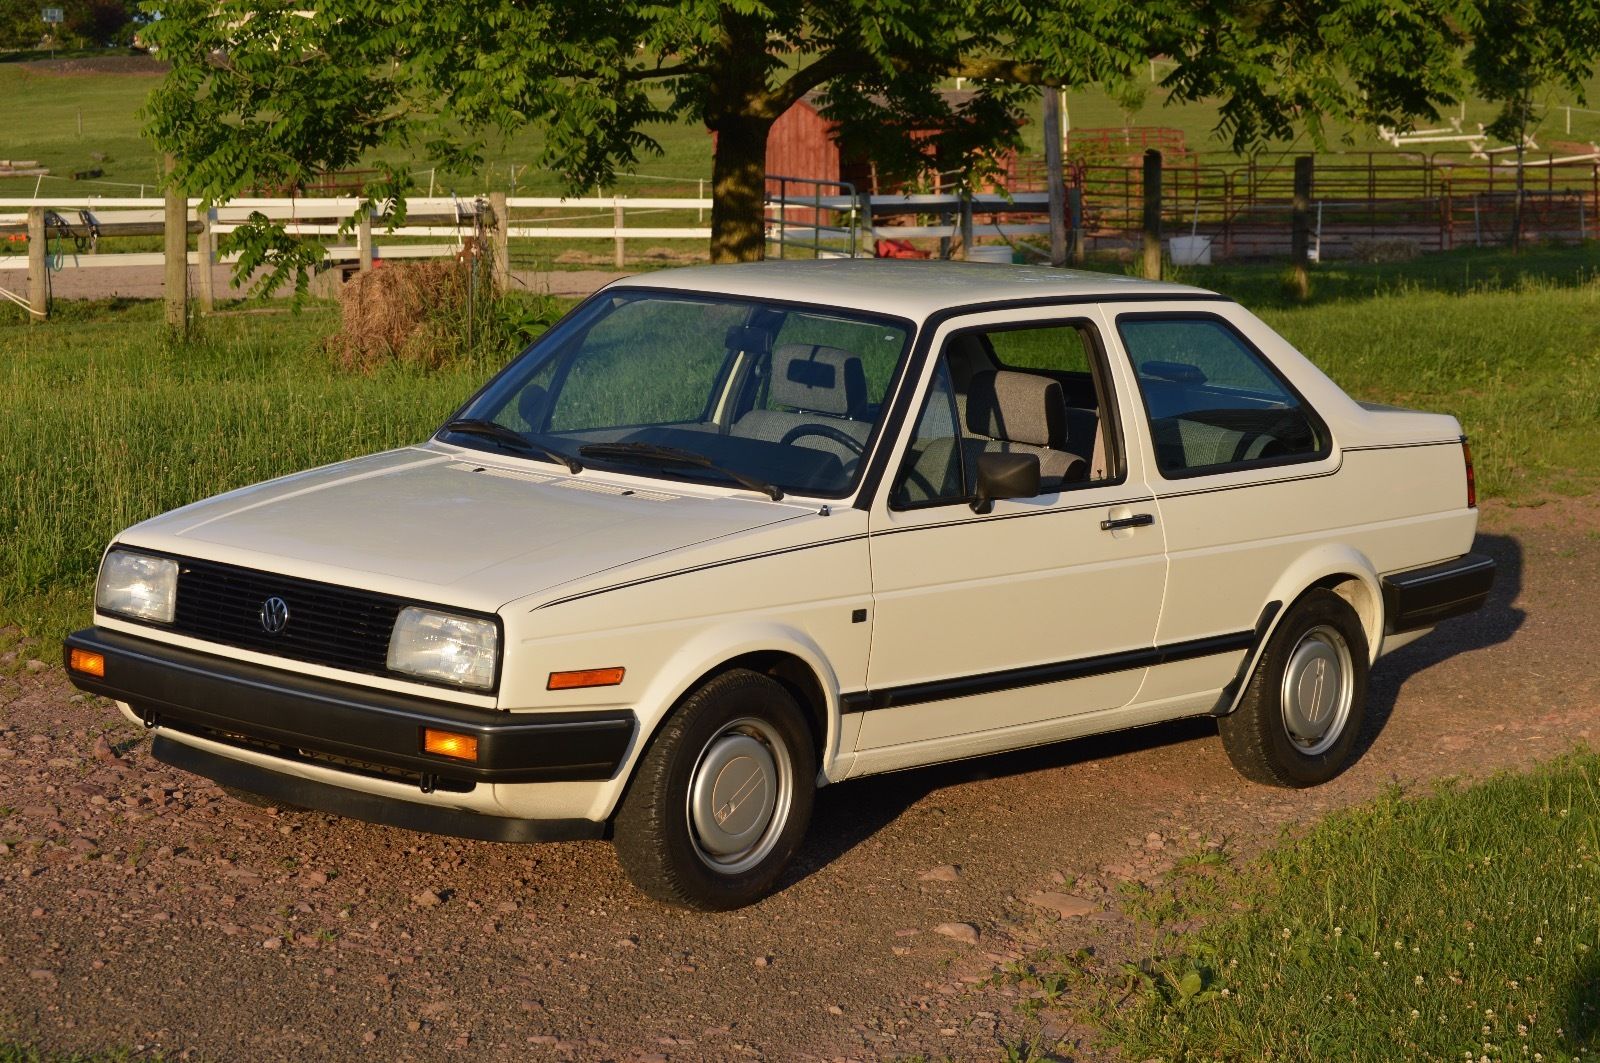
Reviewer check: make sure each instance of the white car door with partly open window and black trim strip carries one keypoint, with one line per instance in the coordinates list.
(991, 627)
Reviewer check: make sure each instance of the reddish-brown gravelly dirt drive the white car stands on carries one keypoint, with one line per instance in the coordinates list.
(145, 909)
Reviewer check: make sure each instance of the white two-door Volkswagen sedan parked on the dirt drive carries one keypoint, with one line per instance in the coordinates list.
(726, 536)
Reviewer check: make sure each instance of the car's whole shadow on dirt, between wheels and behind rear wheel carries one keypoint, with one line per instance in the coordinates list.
(849, 814)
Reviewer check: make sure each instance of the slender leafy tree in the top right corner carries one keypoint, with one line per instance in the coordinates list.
(1526, 47)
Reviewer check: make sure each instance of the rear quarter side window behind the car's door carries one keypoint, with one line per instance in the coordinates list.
(1215, 403)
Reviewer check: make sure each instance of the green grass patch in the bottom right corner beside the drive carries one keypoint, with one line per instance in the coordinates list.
(1452, 926)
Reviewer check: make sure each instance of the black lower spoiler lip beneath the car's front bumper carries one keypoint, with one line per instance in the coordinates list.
(369, 808)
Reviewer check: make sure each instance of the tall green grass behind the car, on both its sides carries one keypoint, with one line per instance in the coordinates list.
(103, 423)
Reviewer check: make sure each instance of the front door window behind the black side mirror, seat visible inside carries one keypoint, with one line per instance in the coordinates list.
(1010, 390)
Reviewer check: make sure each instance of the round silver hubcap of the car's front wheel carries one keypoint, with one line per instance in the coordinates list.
(740, 796)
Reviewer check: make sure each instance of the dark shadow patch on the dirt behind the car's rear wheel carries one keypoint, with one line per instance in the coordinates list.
(1492, 625)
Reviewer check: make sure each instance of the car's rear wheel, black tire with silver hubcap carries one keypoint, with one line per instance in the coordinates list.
(1273, 736)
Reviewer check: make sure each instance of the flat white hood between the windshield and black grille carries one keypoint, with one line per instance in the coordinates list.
(458, 529)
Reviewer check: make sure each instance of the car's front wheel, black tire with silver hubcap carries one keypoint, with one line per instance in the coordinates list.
(708, 740)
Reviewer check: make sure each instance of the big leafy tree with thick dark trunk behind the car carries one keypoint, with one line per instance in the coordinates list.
(274, 94)
